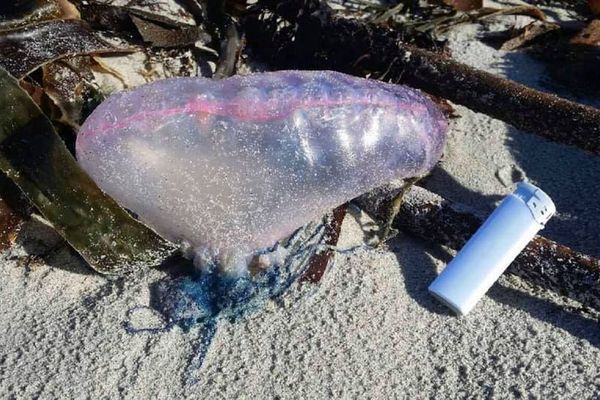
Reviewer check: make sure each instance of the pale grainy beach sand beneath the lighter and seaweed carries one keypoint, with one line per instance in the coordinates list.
(368, 330)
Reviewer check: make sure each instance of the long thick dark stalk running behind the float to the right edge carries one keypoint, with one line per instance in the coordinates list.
(377, 50)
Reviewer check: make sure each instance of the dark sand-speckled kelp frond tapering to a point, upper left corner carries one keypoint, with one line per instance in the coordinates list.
(25, 49)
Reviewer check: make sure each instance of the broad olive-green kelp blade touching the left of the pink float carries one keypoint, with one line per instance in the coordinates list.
(35, 158)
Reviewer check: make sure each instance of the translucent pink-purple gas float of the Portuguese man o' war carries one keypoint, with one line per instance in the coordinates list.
(232, 166)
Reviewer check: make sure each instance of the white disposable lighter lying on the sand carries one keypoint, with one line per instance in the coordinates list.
(494, 246)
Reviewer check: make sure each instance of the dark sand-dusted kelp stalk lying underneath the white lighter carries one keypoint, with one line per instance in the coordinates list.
(544, 262)
